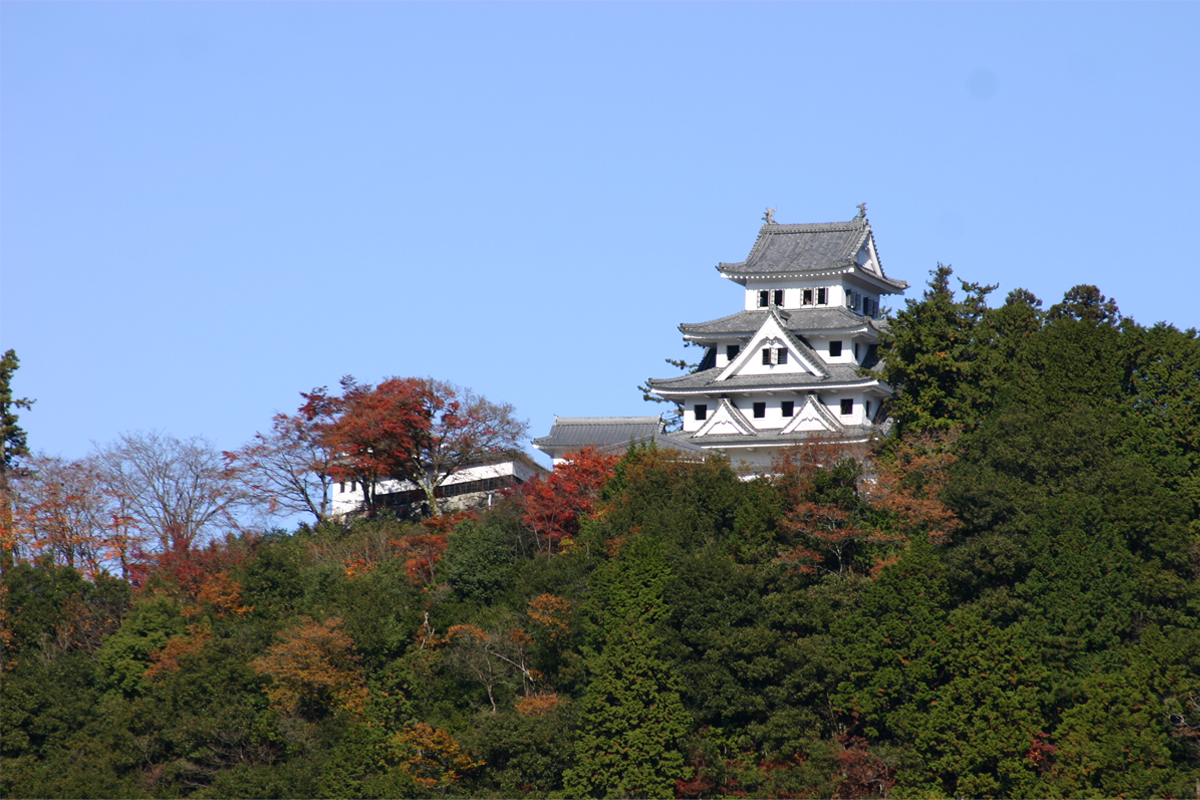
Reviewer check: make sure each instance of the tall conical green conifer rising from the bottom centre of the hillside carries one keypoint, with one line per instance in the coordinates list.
(633, 721)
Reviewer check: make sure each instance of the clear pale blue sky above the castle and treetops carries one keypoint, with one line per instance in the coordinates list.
(207, 208)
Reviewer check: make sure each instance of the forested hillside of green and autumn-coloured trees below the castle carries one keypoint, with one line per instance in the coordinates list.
(1001, 599)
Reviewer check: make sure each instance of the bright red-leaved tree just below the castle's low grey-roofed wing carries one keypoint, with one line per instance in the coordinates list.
(554, 507)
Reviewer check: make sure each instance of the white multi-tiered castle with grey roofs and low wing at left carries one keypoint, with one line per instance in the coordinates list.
(797, 362)
